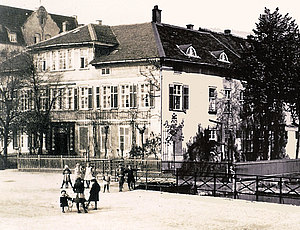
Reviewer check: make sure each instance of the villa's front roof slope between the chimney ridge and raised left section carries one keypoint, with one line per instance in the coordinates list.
(136, 41)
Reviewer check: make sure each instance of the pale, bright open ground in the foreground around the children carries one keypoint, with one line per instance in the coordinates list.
(31, 201)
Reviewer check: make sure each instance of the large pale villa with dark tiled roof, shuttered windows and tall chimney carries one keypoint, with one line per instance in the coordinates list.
(122, 84)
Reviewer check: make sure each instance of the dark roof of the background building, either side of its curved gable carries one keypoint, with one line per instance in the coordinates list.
(13, 19)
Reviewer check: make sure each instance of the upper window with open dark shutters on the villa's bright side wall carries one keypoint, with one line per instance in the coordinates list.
(178, 97)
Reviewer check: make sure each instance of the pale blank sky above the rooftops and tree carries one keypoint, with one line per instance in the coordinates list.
(237, 15)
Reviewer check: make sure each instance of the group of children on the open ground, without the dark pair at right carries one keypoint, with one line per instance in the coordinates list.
(81, 176)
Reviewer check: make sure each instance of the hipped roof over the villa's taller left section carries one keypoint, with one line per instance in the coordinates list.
(87, 34)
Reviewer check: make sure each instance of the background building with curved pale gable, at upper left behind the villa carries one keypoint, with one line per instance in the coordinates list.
(20, 27)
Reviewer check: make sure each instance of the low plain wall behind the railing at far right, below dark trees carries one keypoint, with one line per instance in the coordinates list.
(271, 167)
